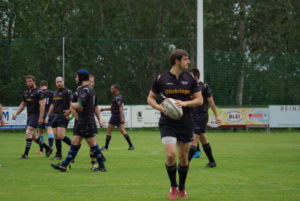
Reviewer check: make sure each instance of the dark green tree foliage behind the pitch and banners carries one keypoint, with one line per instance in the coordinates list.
(128, 42)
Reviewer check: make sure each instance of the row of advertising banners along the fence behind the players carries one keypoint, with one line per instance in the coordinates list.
(139, 116)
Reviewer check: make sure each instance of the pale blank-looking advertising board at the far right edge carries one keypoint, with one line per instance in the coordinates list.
(284, 116)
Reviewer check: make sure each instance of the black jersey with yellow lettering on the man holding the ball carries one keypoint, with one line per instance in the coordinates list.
(182, 88)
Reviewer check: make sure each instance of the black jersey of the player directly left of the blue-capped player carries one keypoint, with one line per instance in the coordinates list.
(61, 100)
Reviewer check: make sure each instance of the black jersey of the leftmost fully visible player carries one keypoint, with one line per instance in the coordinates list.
(32, 98)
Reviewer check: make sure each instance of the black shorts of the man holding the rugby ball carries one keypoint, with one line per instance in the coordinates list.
(181, 129)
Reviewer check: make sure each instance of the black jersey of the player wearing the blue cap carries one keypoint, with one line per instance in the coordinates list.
(87, 97)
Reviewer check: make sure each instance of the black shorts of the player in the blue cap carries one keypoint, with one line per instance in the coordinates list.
(85, 130)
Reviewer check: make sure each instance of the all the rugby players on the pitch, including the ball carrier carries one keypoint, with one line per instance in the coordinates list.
(191, 94)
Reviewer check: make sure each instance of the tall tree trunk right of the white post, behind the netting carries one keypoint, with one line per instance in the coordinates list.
(241, 79)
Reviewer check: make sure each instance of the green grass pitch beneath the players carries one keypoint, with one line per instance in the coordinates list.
(250, 167)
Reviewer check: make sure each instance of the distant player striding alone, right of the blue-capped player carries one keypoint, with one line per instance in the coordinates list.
(117, 117)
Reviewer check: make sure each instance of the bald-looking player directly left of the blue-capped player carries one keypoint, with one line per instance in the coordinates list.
(60, 107)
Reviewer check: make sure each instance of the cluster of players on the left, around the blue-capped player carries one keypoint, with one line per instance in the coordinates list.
(53, 110)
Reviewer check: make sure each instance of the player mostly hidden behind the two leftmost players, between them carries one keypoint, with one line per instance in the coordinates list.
(48, 99)
